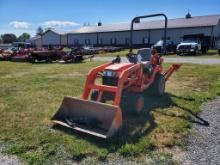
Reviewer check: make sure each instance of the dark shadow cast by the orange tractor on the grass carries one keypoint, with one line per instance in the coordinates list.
(136, 127)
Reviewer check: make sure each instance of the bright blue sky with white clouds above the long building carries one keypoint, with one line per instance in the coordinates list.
(18, 16)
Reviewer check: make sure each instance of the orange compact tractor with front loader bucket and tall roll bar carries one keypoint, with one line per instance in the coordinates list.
(99, 111)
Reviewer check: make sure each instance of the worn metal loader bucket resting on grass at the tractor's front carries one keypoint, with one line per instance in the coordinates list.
(98, 119)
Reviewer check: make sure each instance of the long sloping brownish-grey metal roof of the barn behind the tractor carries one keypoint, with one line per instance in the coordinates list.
(197, 21)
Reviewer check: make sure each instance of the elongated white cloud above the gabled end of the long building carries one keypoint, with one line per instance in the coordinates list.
(59, 24)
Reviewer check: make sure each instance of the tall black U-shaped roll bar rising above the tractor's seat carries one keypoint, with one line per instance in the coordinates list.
(147, 16)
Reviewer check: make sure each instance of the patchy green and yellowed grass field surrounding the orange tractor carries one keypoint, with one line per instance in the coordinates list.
(30, 94)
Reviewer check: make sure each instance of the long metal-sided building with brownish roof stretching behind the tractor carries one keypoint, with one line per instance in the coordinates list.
(146, 33)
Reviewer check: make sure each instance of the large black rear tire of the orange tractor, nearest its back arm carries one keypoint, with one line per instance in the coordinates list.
(158, 86)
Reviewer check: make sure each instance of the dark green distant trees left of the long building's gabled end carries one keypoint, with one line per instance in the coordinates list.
(10, 37)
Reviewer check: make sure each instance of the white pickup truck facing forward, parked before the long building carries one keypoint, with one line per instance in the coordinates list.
(190, 46)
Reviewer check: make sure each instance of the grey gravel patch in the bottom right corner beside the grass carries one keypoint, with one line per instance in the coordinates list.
(204, 142)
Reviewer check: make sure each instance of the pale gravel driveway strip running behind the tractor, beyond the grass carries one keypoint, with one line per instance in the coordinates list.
(192, 60)
